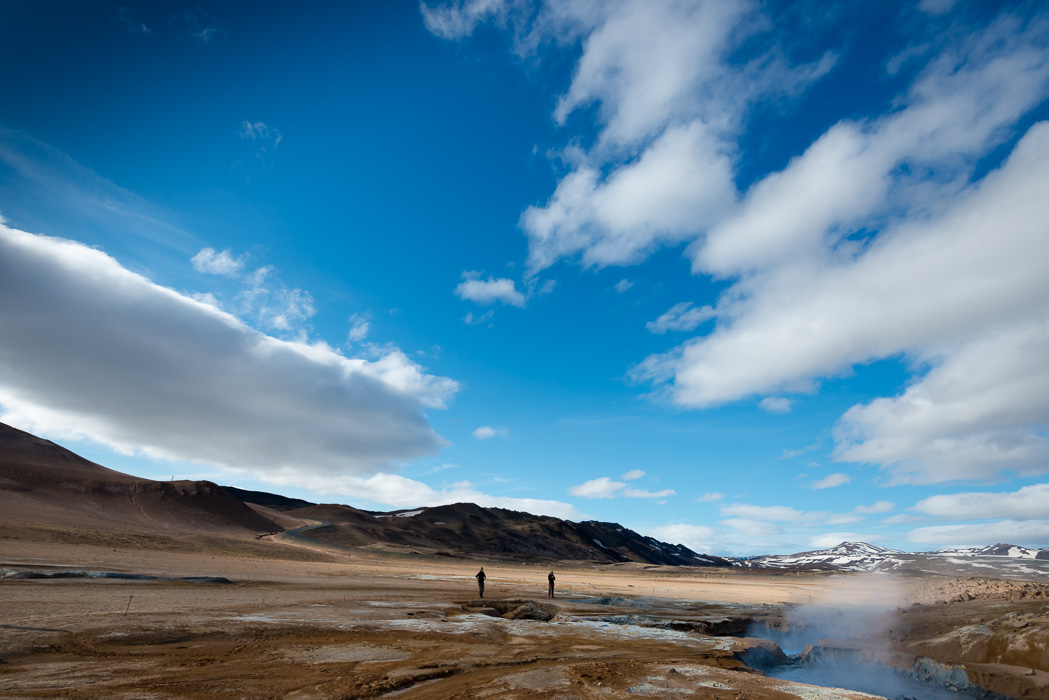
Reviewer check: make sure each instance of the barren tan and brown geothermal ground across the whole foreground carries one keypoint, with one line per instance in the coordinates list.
(296, 622)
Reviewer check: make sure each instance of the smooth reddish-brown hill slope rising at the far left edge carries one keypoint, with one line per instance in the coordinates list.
(42, 484)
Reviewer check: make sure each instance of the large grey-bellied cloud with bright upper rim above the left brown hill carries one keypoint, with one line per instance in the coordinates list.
(94, 350)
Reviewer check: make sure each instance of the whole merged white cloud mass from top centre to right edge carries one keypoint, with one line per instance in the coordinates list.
(881, 239)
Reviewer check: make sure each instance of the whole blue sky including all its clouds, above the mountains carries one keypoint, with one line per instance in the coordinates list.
(754, 278)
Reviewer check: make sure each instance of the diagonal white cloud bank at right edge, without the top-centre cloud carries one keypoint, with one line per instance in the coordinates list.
(811, 304)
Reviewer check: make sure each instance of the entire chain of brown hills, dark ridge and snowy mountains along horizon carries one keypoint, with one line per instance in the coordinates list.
(46, 485)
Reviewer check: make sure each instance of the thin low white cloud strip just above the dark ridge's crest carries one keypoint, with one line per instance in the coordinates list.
(397, 492)
